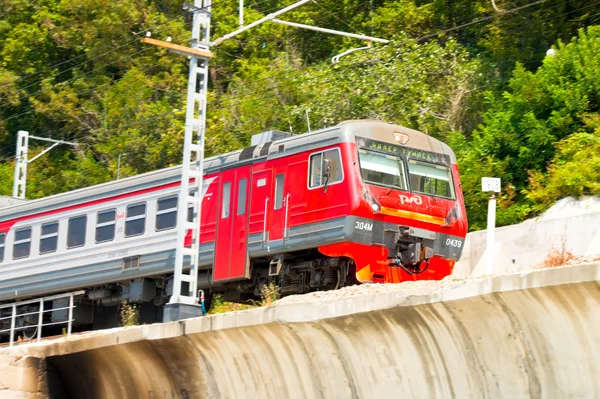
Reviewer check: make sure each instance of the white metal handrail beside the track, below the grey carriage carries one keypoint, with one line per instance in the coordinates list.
(40, 323)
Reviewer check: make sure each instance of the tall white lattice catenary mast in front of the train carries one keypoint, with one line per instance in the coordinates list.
(184, 301)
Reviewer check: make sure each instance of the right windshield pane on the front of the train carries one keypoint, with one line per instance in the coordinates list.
(431, 179)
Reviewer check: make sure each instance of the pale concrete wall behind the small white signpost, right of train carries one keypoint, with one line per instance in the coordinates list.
(518, 247)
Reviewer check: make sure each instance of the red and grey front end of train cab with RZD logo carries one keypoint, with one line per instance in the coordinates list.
(410, 221)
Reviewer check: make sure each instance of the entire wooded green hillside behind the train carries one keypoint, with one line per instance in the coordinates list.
(77, 70)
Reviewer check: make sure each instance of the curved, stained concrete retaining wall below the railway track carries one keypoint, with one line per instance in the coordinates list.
(534, 335)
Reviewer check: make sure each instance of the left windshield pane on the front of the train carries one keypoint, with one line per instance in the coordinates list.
(382, 169)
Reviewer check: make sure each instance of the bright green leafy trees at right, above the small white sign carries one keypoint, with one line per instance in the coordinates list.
(516, 139)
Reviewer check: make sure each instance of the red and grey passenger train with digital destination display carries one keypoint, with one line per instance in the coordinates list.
(362, 201)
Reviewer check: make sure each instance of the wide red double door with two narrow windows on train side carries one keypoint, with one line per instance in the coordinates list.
(231, 248)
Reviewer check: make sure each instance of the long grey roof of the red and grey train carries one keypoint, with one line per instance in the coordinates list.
(344, 132)
